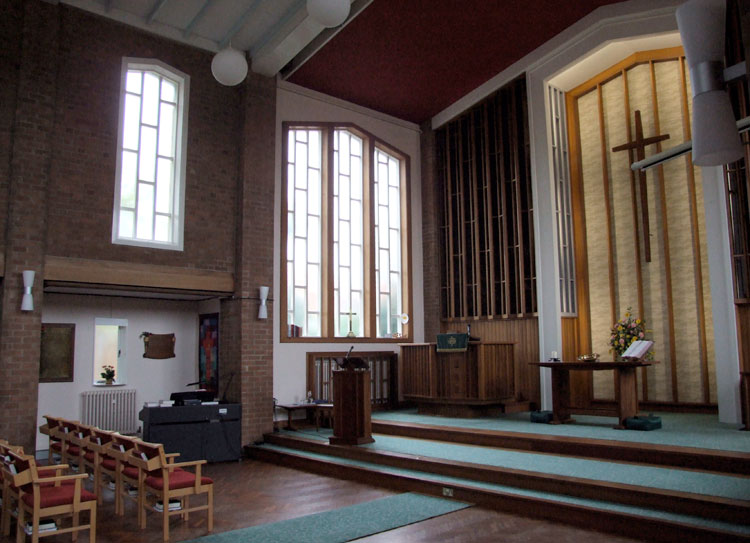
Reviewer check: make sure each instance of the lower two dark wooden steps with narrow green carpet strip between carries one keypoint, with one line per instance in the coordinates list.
(648, 514)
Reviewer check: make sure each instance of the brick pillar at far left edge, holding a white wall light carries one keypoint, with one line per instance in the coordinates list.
(30, 157)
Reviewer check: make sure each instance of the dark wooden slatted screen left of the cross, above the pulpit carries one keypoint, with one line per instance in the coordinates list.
(488, 267)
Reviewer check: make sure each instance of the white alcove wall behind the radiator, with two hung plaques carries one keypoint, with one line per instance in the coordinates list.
(152, 379)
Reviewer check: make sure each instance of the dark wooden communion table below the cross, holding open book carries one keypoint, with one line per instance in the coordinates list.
(626, 389)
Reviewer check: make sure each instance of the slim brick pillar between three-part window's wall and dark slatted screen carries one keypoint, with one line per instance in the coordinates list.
(430, 234)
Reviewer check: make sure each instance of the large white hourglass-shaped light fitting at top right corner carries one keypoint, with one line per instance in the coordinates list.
(715, 138)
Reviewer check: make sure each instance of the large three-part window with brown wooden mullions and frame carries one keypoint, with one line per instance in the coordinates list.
(345, 225)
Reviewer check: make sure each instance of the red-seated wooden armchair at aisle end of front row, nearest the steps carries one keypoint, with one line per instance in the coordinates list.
(163, 481)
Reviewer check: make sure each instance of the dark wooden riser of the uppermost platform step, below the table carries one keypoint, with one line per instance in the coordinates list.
(732, 462)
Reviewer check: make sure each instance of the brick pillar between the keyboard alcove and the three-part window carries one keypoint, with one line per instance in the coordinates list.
(251, 339)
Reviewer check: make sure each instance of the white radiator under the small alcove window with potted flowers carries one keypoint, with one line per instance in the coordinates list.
(110, 409)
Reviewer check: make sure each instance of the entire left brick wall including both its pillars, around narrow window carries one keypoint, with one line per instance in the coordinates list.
(57, 175)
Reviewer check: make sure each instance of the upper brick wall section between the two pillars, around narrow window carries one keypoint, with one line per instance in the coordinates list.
(85, 140)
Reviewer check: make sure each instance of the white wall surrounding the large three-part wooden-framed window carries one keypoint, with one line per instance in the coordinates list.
(294, 103)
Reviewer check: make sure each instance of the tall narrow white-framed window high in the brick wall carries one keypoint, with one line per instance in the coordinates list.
(150, 183)
